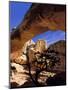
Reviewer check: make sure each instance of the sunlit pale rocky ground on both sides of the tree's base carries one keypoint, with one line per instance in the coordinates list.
(20, 76)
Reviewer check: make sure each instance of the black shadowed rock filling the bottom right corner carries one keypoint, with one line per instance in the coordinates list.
(59, 79)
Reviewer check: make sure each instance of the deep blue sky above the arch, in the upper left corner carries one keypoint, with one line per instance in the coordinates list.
(17, 11)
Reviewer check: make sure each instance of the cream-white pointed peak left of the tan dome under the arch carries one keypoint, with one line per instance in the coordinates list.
(28, 48)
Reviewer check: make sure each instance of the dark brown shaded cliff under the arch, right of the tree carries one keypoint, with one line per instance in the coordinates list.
(60, 48)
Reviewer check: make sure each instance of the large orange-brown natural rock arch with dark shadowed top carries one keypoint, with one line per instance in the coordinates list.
(38, 19)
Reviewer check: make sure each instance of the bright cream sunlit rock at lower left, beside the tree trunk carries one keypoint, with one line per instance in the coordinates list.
(18, 75)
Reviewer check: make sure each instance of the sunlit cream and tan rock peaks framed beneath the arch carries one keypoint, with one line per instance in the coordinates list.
(31, 48)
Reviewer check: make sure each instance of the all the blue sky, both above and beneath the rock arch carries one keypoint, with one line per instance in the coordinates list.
(17, 13)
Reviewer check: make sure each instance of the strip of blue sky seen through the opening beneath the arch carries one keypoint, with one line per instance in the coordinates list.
(51, 36)
